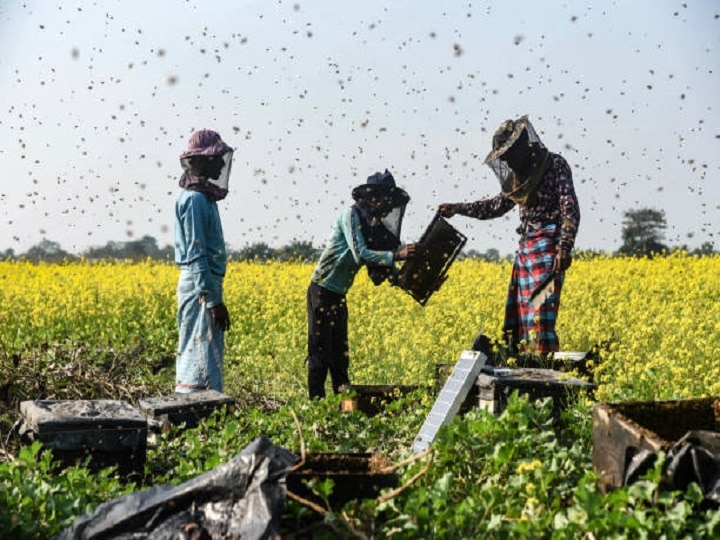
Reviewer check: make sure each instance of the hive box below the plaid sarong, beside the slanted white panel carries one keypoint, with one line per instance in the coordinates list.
(496, 385)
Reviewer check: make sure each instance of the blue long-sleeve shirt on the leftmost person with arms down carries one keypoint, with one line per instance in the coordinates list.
(199, 244)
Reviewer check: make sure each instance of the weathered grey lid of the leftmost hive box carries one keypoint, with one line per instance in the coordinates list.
(53, 416)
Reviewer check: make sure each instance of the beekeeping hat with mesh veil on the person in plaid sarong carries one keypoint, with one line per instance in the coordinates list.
(509, 133)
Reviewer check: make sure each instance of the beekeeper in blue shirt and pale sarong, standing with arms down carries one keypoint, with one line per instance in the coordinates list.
(200, 253)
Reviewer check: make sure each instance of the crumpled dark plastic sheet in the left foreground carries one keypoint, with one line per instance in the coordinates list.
(243, 498)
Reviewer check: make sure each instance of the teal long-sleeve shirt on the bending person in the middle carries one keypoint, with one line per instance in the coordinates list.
(344, 254)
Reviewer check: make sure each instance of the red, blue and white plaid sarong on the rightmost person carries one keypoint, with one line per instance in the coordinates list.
(530, 330)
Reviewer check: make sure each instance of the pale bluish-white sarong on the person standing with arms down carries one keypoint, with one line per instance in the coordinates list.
(201, 346)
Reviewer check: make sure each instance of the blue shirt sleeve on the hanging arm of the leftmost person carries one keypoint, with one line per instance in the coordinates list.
(194, 217)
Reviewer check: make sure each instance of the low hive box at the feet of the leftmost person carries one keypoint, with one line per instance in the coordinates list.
(187, 408)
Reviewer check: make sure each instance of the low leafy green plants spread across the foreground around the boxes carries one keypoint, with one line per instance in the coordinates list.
(513, 476)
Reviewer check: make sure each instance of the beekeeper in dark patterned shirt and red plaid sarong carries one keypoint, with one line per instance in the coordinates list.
(540, 183)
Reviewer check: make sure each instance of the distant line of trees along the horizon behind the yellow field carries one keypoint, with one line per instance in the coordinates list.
(643, 235)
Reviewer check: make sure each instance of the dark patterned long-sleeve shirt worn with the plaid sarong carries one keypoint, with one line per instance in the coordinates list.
(554, 202)
